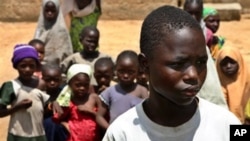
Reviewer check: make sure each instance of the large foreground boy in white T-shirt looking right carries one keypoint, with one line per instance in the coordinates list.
(173, 53)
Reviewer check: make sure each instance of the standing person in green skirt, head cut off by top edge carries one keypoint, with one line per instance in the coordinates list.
(79, 14)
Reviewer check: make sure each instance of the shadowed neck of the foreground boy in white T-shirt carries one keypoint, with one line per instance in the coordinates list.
(166, 113)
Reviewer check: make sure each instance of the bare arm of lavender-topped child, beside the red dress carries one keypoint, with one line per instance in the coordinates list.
(100, 117)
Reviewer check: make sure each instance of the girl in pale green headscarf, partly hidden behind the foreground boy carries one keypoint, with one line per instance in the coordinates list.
(212, 20)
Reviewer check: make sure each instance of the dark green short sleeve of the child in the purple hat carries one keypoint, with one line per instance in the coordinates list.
(7, 94)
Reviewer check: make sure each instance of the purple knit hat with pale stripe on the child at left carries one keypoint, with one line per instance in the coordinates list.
(22, 51)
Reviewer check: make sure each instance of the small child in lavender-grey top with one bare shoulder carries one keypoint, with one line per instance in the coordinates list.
(124, 95)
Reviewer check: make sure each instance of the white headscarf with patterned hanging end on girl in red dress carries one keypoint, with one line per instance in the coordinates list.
(64, 97)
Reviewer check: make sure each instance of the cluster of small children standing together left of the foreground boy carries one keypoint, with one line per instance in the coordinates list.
(71, 109)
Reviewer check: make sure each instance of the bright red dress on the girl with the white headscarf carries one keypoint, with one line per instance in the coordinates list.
(82, 125)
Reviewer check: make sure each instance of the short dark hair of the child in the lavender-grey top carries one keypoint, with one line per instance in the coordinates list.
(128, 54)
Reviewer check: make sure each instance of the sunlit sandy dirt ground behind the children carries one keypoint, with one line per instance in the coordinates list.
(115, 37)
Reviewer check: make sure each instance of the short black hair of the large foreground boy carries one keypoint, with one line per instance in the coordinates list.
(161, 23)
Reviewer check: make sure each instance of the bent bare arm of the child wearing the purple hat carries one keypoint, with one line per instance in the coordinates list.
(24, 104)
